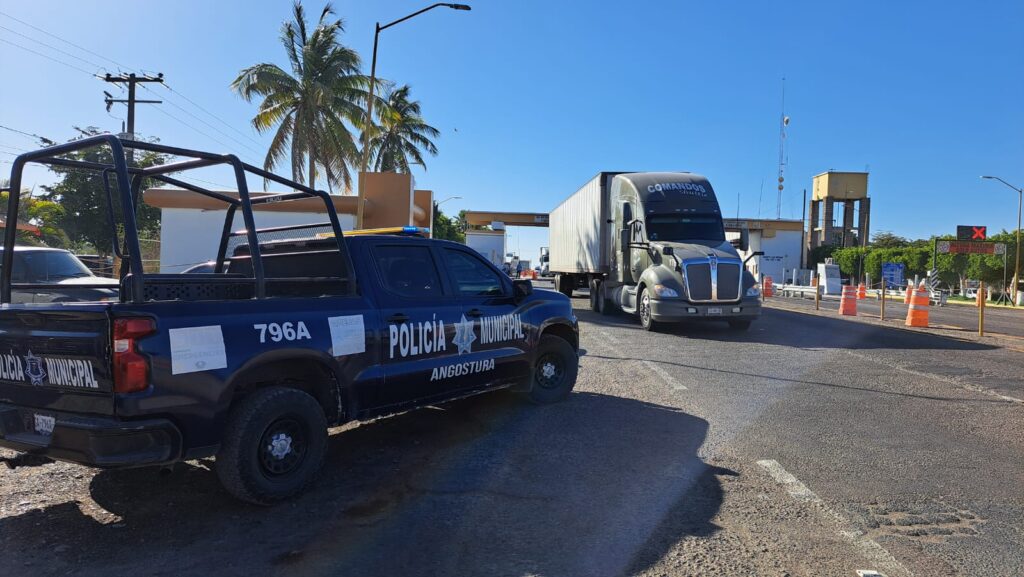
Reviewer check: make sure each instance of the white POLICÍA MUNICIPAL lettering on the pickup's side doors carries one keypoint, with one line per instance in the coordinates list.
(410, 340)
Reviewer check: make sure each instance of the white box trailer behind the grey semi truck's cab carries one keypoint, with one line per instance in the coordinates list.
(579, 230)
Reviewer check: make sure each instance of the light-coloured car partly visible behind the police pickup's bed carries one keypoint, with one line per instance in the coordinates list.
(59, 277)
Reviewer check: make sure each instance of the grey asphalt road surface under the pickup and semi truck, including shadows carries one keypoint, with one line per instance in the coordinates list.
(809, 445)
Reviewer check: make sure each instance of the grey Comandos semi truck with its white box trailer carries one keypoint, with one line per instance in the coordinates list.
(653, 244)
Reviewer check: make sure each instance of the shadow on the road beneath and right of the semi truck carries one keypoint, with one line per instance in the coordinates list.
(802, 332)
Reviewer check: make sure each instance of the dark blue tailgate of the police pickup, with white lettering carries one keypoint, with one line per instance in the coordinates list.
(57, 357)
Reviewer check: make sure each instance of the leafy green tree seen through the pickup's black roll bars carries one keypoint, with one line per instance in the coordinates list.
(82, 198)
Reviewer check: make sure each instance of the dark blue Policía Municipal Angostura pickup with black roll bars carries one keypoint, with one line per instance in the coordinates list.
(295, 331)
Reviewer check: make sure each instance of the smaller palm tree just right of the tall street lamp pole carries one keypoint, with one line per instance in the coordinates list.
(402, 134)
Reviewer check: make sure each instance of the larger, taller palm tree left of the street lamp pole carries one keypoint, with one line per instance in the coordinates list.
(314, 107)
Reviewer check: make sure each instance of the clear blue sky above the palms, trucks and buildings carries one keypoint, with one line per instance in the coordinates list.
(534, 98)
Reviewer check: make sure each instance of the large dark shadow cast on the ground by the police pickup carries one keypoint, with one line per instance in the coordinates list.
(599, 485)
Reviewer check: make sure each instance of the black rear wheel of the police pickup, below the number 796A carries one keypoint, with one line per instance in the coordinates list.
(274, 445)
